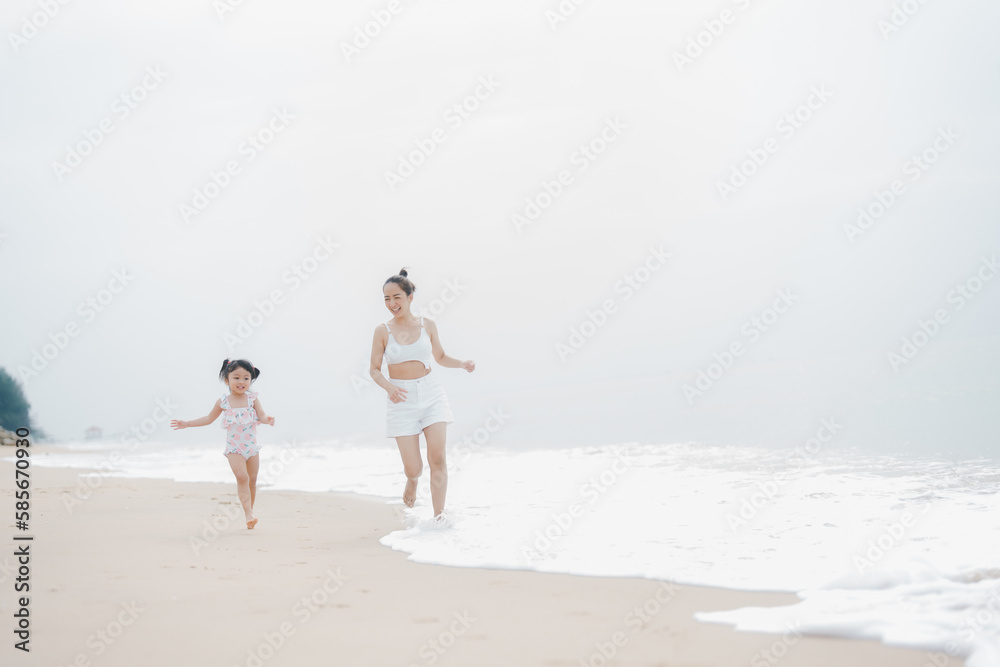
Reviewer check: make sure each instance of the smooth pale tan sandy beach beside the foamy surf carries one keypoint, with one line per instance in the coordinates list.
(151, 572)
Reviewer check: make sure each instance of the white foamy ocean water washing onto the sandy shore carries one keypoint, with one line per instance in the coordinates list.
(901, 550)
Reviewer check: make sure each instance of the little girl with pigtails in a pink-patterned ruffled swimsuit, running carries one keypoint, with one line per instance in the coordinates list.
(242, 410)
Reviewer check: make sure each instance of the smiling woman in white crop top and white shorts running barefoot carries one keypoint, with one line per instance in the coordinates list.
(416, 400)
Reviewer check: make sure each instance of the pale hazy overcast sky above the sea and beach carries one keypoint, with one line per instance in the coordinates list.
(122, 121)
